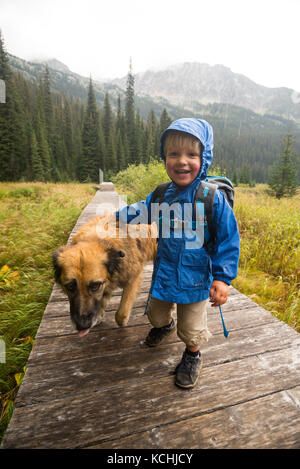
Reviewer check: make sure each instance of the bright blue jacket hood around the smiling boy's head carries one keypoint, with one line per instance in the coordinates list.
(200, 129)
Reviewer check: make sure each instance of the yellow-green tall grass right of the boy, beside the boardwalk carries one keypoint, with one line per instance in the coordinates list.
(269, 270)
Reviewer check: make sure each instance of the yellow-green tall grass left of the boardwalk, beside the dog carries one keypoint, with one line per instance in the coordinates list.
(35, 218)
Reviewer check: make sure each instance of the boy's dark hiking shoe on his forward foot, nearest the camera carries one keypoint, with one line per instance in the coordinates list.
(188, 370)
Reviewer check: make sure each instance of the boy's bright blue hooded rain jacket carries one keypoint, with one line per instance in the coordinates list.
(183, 271)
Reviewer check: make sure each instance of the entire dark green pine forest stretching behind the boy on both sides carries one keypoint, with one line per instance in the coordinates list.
(47, 135)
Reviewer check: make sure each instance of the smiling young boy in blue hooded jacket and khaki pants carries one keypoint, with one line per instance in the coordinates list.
(184, 274)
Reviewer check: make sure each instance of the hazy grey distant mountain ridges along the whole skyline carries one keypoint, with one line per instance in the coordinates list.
(185, 86)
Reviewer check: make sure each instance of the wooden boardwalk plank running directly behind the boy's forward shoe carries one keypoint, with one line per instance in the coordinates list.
(58, 379)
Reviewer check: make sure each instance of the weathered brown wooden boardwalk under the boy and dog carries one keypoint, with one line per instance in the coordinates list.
(106, 390)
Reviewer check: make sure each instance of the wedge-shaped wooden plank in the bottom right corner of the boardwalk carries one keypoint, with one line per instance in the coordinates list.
(271, 422)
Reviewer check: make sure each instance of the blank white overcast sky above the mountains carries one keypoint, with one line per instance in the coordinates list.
(257, 38)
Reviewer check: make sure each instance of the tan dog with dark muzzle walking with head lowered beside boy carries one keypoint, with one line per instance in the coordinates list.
(92, 266)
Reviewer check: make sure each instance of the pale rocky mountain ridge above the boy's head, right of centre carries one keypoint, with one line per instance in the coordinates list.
(192, 83)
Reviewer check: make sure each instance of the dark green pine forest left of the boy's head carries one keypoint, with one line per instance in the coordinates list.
(46, 136)
